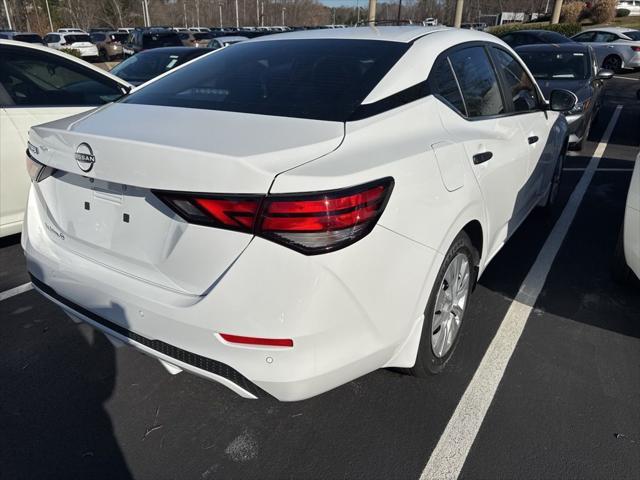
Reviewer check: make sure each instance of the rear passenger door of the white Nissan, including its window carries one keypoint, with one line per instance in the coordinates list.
(492, 140)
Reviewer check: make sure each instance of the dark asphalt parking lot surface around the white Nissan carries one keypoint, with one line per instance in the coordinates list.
(567, 404)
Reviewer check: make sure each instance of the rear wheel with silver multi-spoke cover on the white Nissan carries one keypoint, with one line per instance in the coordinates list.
(435, 351)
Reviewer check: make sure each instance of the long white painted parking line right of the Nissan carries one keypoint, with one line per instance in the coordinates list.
(448, 458)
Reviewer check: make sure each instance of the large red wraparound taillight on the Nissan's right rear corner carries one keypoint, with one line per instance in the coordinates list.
(310, 223)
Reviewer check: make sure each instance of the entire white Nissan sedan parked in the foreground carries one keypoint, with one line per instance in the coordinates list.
(294, 212)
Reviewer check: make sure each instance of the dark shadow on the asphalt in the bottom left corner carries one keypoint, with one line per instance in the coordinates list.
(52, 415)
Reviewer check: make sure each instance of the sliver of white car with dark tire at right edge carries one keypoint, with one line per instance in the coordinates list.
(627, 254)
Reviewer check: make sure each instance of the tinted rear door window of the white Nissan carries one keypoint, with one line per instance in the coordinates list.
(478, 82)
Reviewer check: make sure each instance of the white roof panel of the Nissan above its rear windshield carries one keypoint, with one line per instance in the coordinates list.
(404, 34)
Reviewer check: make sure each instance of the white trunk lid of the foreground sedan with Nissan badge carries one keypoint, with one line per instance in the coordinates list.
(109, 213)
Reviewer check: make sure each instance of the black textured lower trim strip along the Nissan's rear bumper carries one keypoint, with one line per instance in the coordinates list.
(198, 361)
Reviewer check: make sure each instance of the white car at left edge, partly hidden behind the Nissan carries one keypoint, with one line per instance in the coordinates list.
(38, 85)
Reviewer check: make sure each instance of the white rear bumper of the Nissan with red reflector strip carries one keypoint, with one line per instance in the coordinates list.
(343, 323)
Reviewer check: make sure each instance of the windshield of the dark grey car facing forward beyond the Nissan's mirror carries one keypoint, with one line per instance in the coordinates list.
(557, 65)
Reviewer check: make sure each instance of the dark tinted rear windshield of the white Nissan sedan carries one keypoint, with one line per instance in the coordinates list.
(318, 79)
